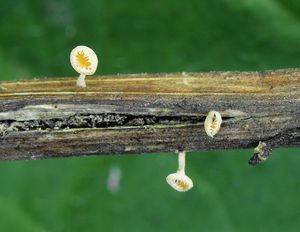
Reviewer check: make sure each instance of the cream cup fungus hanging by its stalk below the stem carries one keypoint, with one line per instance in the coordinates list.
(179, 181)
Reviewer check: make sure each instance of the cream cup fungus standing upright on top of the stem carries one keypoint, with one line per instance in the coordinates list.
(84, 61)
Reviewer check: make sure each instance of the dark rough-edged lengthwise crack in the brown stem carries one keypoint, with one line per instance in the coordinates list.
(97, 121)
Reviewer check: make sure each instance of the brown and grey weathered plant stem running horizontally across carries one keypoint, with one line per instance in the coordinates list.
(147, 113)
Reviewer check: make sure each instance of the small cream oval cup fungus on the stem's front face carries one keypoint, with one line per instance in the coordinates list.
(212, 123)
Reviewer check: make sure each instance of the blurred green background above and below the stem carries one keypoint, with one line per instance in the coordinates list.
(134, 36)
